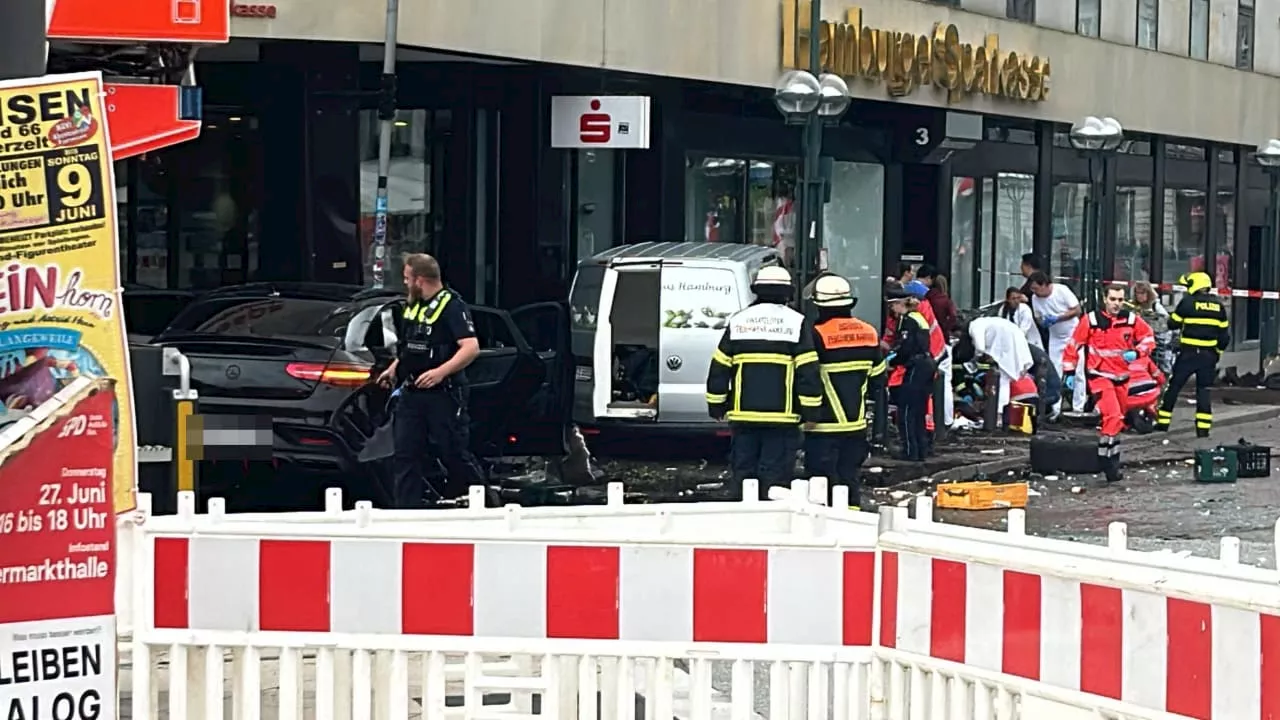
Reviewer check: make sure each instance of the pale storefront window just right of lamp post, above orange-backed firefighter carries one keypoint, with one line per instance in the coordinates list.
(853, 227)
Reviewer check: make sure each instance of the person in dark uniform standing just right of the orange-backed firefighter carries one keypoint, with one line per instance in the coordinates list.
(911, 352)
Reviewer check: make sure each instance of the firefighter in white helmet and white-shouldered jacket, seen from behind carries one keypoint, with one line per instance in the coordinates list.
(764, 380)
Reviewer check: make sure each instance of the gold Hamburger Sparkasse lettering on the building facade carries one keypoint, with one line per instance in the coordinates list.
(907, 62)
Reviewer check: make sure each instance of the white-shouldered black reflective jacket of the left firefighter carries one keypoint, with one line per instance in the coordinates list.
(765, 370)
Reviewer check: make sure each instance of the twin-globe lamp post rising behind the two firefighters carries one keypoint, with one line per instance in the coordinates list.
(811, 99)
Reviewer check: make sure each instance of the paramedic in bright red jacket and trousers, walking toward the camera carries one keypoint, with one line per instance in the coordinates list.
(1110, 341)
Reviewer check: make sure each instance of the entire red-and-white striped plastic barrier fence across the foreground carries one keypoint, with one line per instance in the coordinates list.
(815, 610)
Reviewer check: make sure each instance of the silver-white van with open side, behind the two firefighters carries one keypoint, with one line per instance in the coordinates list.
(647, 320)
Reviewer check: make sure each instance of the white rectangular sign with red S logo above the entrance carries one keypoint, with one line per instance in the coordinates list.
(618, 122)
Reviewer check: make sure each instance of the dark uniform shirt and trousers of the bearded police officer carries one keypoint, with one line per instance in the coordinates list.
(435, 420)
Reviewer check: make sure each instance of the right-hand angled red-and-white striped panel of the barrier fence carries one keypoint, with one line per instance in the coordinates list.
(1188, 636)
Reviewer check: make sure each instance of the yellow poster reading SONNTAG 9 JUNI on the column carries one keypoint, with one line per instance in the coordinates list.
(61, 315)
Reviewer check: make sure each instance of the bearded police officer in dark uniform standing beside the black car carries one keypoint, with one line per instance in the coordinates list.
(438, 341)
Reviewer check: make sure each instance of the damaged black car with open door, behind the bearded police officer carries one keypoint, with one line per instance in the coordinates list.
(299, 359)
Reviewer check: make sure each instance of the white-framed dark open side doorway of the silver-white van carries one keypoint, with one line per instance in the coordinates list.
(627, 349)
